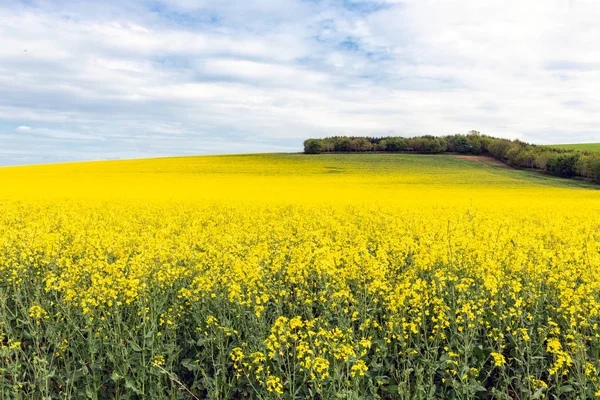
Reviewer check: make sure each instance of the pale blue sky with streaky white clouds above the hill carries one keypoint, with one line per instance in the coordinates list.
(87, 80)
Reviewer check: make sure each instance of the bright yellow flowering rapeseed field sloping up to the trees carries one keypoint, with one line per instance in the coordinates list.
(293, 276)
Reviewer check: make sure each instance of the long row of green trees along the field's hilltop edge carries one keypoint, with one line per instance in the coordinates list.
(558, 162)
